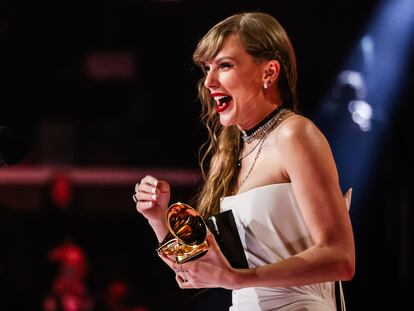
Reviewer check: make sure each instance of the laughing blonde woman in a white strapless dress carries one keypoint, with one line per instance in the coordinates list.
(272, 167)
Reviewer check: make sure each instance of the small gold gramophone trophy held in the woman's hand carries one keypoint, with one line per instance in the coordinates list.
(186, 239)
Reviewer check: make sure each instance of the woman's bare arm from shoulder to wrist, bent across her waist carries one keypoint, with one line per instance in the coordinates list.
(309, 164)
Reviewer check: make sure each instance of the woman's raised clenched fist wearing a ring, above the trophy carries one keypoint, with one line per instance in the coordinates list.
(152, 197)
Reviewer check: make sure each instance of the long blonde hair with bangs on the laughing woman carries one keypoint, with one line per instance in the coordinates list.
(264, 39)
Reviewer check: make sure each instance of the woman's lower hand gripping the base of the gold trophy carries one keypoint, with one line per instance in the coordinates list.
(208, 271)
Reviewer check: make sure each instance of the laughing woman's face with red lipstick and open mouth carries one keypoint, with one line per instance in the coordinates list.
(235, 81)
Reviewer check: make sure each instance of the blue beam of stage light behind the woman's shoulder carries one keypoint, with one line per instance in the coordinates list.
(356, 114)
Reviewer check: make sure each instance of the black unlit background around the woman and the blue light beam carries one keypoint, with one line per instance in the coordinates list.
(150, 119)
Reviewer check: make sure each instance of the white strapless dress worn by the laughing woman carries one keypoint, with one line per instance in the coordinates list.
(271, 228)
